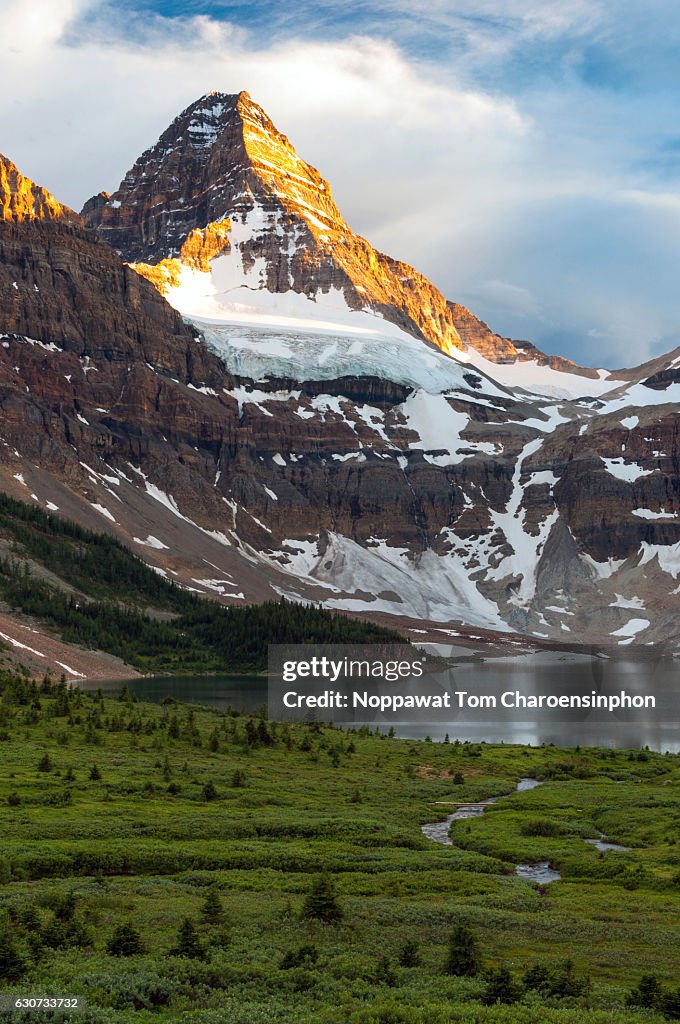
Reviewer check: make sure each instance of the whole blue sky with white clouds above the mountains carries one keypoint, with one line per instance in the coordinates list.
(525, 155)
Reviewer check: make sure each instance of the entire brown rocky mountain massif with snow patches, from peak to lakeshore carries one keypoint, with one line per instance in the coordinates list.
(362, 467)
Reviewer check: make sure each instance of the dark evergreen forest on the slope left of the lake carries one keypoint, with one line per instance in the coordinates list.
(202, 636)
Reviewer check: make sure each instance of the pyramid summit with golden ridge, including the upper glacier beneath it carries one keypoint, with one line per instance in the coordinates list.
(233, 227)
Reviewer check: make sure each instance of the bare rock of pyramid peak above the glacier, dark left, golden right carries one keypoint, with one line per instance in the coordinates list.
(224, 163)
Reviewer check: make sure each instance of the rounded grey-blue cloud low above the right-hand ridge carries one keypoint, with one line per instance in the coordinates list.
(603, 273)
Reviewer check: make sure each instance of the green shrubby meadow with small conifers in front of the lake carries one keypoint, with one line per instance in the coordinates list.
(167, 863)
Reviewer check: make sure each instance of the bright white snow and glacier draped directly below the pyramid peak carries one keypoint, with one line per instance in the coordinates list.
(282, 332)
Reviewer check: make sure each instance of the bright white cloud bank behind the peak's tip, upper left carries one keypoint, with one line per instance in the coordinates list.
(95, 93)
